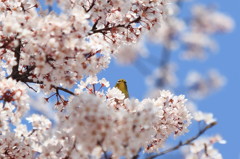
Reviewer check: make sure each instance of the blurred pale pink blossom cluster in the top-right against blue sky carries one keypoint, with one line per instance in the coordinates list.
(205, 22)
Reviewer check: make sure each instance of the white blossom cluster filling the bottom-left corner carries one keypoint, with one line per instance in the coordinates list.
(20, 142)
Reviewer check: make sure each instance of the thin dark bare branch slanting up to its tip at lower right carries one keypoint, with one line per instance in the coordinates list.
(187, 142)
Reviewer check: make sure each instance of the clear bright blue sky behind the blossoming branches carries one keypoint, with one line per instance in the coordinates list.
(224, 103)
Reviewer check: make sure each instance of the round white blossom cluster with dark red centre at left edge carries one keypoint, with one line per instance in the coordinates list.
(15, 102)
